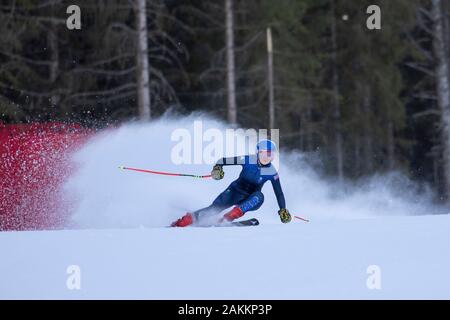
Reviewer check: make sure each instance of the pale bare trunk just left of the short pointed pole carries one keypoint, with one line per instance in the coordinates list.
(231, 78)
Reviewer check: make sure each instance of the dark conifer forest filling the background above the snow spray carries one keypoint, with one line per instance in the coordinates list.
(363, 101)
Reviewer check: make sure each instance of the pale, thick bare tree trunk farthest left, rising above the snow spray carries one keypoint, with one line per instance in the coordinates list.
(143, 71)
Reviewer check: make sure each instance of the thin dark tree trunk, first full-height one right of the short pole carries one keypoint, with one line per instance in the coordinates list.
(336, 106)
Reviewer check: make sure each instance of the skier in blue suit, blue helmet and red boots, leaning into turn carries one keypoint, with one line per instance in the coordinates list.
(245, 192)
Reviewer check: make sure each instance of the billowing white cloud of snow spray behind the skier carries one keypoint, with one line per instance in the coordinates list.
(109, 197)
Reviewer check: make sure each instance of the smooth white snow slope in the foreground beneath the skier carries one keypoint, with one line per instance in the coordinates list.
(272, 261)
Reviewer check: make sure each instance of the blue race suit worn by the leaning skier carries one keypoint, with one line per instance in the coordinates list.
(245, 192)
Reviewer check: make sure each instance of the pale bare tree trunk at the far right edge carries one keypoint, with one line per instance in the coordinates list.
(442, 87)
